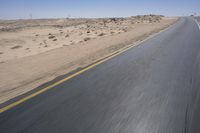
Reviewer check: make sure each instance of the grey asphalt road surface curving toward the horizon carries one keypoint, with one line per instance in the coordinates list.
(152, 88)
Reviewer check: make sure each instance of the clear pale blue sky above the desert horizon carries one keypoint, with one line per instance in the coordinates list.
(18, 9)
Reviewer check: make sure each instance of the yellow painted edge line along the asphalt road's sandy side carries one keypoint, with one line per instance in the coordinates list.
(110, 56)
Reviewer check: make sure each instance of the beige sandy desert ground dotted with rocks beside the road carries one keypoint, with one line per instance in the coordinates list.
(33, 52)
